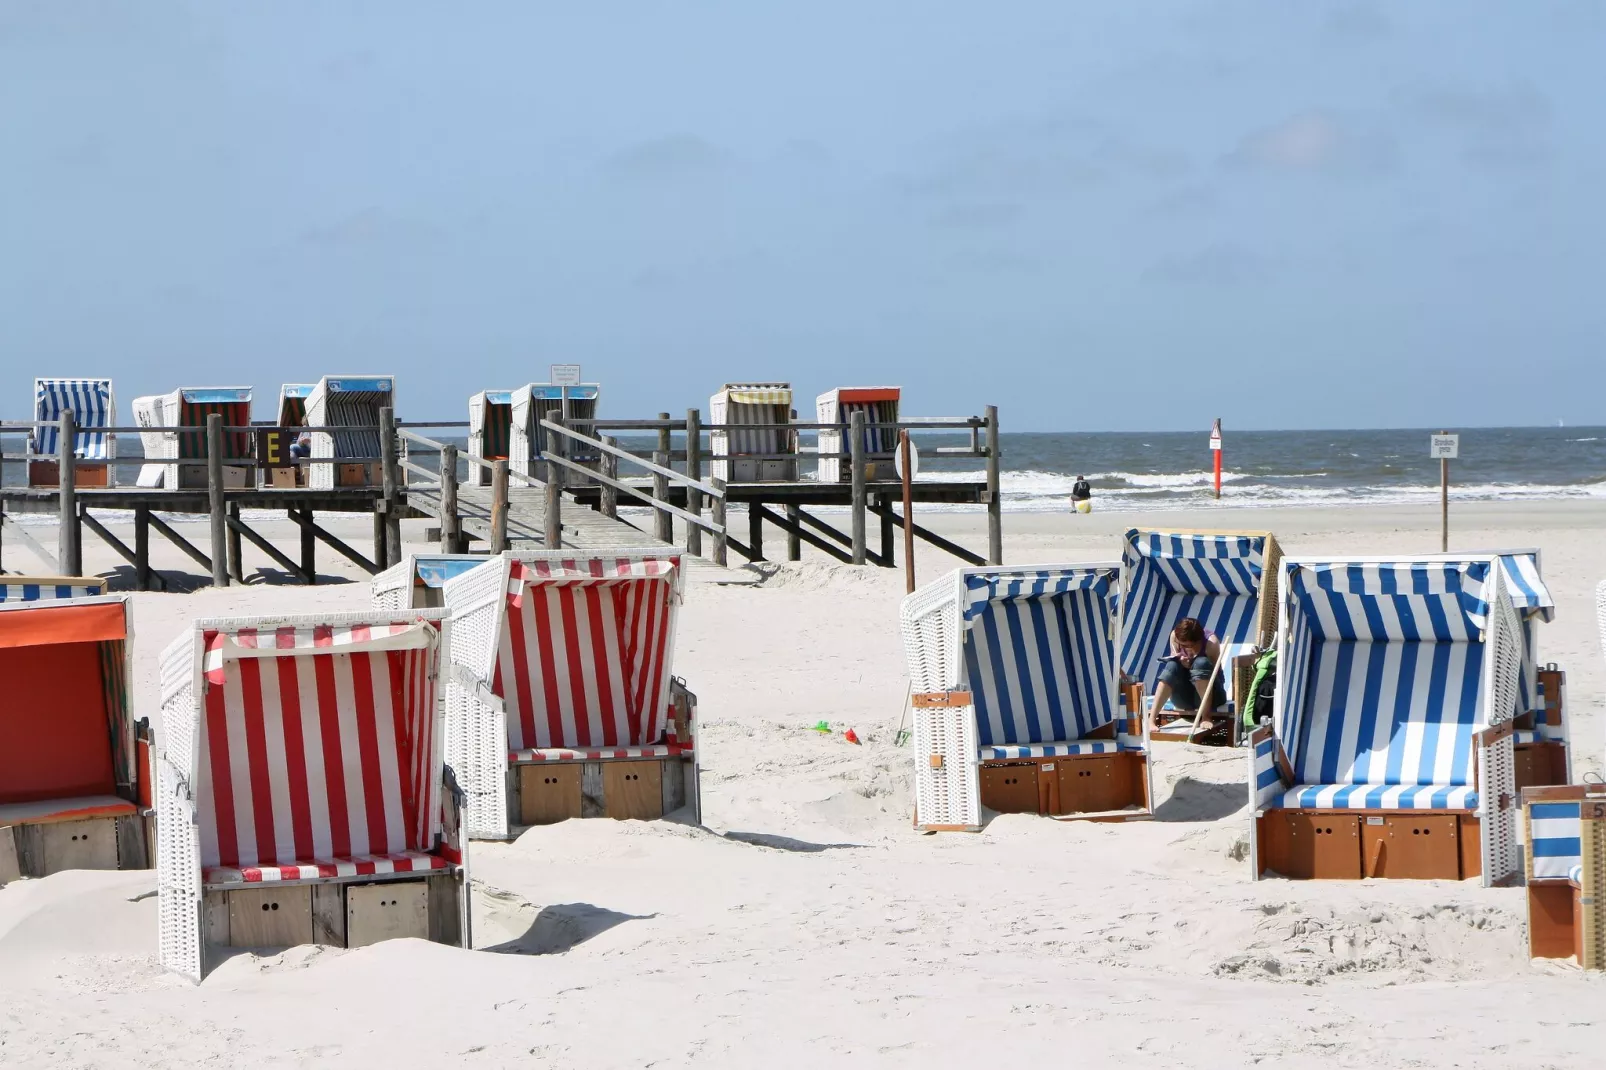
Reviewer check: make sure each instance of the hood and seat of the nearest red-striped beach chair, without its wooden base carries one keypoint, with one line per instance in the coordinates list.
(312, 745)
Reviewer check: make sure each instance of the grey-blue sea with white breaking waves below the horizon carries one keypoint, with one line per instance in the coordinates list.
(1133, 472)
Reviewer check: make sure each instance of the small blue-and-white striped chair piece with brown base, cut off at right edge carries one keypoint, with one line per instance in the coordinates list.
(1567, 873)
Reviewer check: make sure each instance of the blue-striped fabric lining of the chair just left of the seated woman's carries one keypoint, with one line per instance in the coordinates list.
(1040, 656)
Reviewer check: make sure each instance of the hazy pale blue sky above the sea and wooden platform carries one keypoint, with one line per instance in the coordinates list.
(1094, 216)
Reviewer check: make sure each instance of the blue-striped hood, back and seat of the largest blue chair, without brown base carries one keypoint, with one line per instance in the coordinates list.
(1382, 682)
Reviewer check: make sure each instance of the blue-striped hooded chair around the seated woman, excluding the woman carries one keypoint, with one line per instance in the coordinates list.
(1226, 581)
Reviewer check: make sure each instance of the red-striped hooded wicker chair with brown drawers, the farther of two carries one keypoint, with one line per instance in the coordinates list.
(561, 701)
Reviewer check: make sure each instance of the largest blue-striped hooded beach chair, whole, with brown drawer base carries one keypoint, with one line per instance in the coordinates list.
(1392, 743)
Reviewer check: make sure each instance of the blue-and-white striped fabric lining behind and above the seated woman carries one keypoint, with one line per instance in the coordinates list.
(1215, 579)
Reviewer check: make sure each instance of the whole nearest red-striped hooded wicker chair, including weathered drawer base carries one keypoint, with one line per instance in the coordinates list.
(303, 796)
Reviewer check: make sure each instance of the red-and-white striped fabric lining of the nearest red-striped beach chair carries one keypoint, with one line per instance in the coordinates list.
(316, 756)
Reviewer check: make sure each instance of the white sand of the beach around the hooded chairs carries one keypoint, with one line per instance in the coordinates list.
(807, 925)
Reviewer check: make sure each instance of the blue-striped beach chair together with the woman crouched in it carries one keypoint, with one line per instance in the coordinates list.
(1221, 581)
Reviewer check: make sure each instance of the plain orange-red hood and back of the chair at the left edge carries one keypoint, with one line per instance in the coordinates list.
(68, 740)
